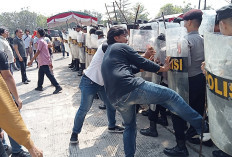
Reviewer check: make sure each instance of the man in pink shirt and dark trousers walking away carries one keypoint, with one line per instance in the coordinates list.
(45, 62)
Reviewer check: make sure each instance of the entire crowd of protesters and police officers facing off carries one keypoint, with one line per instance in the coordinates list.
(107, 67)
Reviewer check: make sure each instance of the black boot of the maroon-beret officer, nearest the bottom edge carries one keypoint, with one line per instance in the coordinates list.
(180, 150)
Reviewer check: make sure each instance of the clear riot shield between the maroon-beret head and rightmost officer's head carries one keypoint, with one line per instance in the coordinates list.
(208, 21)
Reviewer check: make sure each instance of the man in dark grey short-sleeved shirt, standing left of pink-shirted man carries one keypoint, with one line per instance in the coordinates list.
(21, 56)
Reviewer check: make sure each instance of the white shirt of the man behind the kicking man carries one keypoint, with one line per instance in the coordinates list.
(93, 71)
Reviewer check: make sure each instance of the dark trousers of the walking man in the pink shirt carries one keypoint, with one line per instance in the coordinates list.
(44, 70)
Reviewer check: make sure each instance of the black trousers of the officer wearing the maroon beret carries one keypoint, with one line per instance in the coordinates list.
(197, 87)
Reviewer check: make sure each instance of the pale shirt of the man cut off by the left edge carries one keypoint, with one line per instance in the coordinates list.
(5, 47)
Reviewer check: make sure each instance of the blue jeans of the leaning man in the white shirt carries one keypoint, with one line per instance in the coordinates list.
(88, 90)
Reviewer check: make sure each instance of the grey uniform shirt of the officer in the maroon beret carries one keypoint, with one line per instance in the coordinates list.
(196, 53)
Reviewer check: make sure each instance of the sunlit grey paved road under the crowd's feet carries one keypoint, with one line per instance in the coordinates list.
(50, 119)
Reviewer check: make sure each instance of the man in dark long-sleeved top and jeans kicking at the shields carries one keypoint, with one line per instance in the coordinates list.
(123, 89)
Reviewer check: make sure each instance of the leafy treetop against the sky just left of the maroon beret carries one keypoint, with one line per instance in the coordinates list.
(169, 9)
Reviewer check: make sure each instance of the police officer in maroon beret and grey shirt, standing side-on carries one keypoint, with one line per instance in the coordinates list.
(197, 84)
